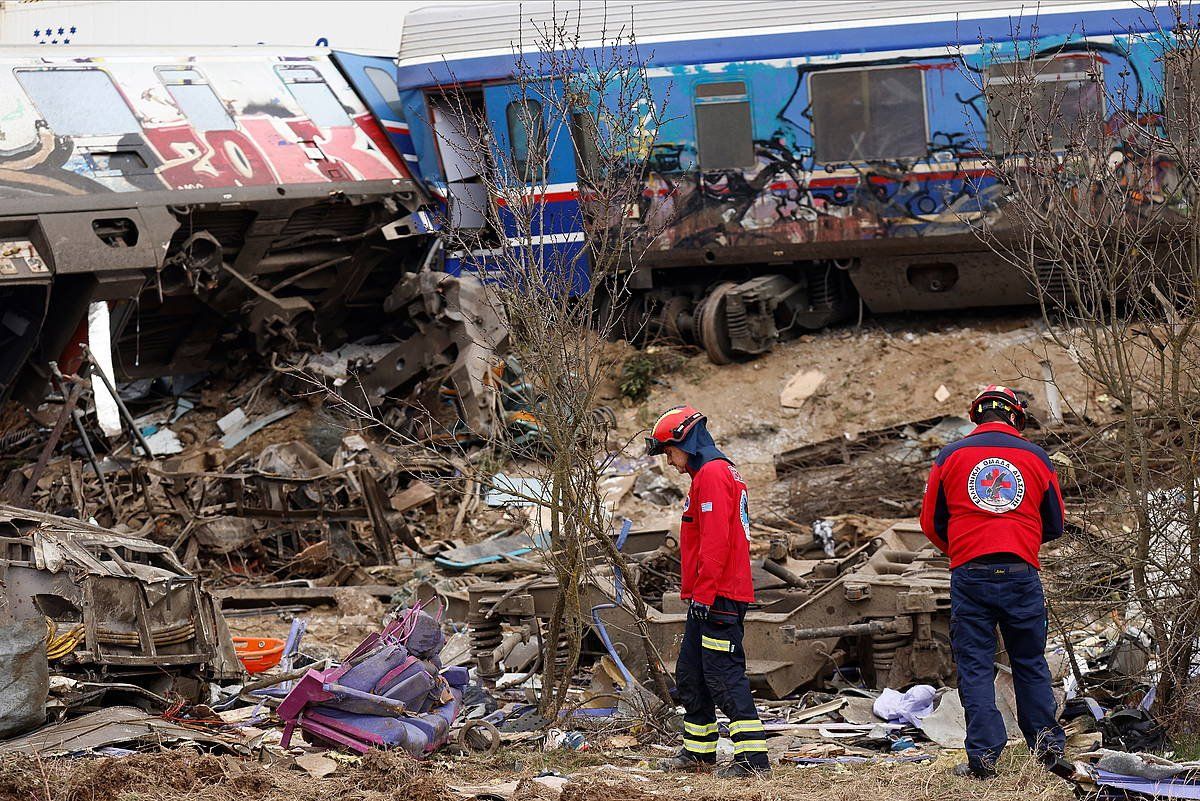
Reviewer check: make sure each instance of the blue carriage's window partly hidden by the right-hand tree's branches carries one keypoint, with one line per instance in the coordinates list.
(1030, 99)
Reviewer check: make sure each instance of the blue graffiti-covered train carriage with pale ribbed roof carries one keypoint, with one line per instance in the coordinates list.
(818, 156)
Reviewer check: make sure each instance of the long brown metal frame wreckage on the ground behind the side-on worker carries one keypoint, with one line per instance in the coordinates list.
(881, 605)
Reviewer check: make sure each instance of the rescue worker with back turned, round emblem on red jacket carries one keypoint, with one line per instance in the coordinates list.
(992, 501)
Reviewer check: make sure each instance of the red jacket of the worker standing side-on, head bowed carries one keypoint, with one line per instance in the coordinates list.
(715, 537)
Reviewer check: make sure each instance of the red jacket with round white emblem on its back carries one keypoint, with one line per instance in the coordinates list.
(992, 492)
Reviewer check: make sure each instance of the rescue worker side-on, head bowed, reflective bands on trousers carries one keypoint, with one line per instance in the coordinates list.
(715, 553)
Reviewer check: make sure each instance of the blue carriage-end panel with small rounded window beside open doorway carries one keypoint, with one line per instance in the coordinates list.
(517, 118)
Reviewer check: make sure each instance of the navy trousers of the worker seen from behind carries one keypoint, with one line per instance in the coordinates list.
(1010, 597)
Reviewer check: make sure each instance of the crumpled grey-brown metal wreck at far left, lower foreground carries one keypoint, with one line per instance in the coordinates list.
(125, 603)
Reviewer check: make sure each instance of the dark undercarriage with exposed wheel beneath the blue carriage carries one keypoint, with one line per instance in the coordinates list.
(740, 310)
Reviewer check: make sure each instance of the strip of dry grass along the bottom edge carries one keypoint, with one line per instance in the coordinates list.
(184, 775)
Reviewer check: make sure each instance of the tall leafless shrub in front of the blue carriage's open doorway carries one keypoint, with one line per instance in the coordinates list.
(559, 275)
